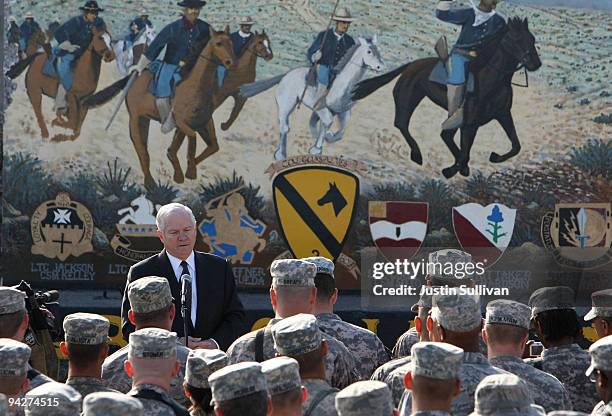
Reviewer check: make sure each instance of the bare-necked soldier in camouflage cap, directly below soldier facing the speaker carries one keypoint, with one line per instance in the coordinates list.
(152, 364)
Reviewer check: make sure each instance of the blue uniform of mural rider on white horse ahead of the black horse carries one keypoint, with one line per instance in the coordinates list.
(334, 49)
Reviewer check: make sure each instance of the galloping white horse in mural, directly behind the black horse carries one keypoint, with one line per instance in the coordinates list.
(350, 70)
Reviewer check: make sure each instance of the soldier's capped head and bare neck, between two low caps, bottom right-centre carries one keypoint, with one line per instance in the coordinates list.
(434, 377)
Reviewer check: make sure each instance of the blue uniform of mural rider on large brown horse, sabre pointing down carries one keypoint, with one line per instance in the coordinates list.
(178, 38)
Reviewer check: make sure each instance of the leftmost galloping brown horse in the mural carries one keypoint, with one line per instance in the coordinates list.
(86, 74)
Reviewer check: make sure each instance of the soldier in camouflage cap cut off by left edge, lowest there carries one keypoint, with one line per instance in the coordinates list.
(14, 356)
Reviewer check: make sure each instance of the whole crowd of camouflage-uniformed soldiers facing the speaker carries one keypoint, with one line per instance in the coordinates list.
(308, 361)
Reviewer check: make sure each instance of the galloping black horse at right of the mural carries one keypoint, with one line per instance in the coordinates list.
(493, 68)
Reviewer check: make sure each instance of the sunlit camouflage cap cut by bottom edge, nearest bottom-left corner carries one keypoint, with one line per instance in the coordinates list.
(53, 399)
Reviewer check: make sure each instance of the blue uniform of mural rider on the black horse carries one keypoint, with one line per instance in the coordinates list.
(470, 39)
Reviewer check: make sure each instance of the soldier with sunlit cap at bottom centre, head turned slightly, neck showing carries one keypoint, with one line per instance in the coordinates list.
(299, 337)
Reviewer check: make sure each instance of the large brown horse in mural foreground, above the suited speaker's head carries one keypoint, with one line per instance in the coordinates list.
(192, 105)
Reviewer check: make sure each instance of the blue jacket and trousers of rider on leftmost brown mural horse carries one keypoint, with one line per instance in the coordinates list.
(78, 32)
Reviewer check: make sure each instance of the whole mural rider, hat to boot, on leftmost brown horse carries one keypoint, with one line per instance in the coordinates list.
(70, 41)
